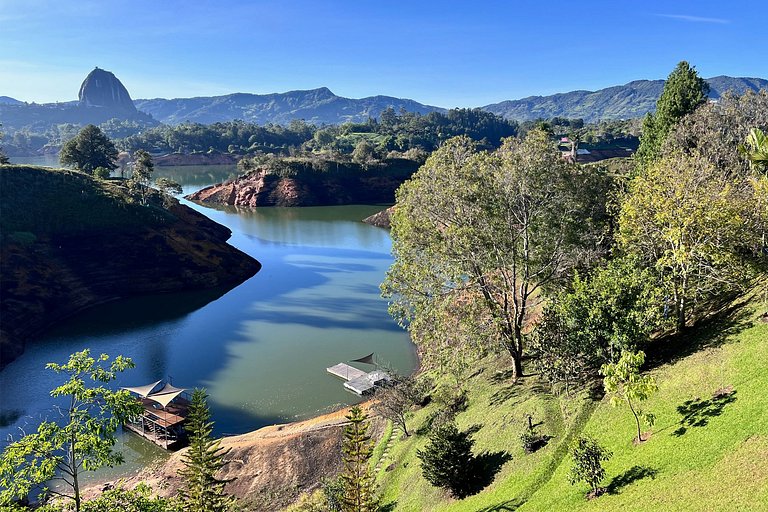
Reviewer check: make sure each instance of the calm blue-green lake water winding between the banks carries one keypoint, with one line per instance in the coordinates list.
(260, 349)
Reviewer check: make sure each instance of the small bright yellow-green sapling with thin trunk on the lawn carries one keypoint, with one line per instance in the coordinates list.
(625, 383)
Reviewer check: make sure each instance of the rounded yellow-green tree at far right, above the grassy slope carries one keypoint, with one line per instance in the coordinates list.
(690, 222)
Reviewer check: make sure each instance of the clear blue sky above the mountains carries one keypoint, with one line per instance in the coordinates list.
(446, 53)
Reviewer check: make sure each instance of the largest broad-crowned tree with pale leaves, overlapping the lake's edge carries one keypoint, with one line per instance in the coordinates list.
(484, 234)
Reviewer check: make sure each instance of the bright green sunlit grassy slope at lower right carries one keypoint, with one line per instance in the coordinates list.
(719, 464)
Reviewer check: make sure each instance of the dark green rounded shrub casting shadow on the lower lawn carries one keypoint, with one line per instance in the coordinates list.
(447, 460)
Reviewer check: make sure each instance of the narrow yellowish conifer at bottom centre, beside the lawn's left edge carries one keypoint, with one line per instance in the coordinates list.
(359, 491)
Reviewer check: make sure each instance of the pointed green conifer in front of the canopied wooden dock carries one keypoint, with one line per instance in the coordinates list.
(204, 458)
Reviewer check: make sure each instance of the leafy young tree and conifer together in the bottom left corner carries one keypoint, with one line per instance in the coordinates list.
(83, 439)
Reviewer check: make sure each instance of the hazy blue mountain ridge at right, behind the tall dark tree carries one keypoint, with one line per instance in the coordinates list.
(631, 100)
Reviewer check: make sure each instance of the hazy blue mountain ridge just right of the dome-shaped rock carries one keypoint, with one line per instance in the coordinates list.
(319, 106)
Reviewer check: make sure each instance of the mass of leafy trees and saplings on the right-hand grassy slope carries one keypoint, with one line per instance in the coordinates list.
(516, 251)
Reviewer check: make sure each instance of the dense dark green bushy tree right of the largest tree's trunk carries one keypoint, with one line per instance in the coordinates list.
(615, 308)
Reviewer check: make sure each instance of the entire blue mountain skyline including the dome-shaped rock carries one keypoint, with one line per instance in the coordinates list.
(102, 96)
